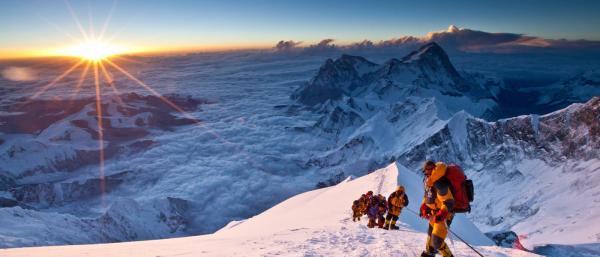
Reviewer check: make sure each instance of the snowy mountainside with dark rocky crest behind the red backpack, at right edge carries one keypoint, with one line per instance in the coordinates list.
(525, 170)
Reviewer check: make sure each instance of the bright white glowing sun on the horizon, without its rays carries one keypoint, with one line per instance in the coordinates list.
(93, 50)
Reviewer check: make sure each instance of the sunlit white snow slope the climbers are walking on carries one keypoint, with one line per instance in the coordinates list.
(315, 223)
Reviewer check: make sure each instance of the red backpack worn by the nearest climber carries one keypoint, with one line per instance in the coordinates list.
(461, 187)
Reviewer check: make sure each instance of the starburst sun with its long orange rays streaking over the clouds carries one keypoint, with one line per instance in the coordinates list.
(103, 63)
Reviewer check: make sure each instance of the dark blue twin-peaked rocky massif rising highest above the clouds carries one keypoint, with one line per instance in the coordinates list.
(426, 72)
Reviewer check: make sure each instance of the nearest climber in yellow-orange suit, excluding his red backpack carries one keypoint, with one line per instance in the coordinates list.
(437, 207)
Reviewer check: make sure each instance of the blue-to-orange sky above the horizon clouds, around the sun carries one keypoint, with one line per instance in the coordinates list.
(30, 27)
